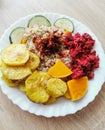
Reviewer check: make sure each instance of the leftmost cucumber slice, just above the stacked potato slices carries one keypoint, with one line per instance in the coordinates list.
(16, 35)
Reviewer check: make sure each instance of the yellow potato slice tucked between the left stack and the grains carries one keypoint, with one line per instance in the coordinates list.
(33, 61)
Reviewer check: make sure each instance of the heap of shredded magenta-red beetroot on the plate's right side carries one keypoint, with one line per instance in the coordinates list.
(84, 58)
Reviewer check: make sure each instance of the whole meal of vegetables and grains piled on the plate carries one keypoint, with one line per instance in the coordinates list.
(49, 61)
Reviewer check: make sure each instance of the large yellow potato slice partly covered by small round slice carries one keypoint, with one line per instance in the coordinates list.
(35, 87)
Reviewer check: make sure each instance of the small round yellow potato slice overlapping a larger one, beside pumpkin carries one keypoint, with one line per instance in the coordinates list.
(56, 87)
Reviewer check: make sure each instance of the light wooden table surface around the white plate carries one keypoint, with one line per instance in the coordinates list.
(89, 12)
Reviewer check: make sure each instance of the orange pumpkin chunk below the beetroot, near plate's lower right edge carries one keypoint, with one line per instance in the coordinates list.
(78, 88)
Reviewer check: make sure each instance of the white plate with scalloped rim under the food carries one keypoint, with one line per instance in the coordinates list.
(63, 106)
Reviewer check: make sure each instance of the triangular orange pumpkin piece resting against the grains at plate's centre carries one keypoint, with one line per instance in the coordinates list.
(59, 70)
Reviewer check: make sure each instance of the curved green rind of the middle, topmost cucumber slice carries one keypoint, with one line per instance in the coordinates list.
(41, 17)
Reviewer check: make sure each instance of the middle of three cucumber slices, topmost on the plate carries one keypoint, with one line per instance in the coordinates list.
(39, 20)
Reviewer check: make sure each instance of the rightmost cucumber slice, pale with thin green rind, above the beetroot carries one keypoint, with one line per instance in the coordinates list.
(65, 24)
